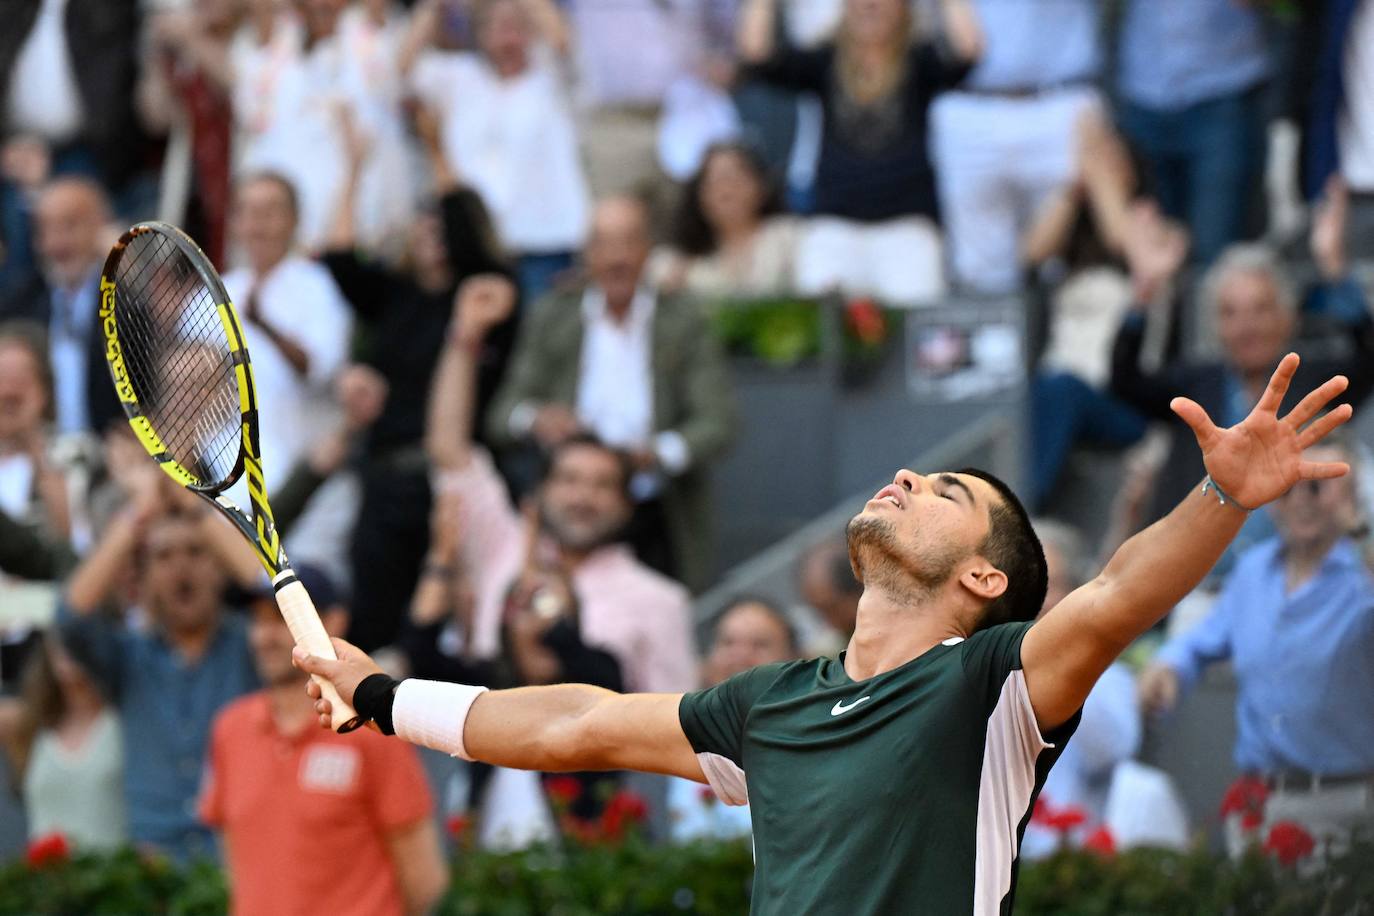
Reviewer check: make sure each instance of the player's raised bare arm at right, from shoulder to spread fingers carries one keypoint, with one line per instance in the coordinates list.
(1252, 463)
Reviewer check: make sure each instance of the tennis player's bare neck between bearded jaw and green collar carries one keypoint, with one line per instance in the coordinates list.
(891, 631)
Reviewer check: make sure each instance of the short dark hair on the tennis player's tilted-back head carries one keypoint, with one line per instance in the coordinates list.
(1013, 547)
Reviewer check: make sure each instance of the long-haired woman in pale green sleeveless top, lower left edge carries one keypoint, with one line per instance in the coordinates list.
(67, 745)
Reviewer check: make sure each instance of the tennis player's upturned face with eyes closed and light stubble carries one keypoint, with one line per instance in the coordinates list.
(920, 528)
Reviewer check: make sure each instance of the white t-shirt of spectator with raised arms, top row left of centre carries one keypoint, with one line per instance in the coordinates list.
(515, 142)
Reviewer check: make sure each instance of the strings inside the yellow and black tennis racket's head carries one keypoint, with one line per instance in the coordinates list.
(178, 356)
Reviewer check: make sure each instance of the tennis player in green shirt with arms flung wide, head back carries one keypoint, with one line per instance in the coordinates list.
(899, 777)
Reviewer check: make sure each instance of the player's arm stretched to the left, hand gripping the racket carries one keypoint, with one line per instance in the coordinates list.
(559, 729)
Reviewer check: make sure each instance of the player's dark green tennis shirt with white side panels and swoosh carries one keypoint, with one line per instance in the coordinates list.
(906, 793)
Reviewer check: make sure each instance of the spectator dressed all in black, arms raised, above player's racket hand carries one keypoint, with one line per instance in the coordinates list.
(403, 317)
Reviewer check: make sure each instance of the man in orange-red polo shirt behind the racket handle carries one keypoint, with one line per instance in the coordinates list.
(315, 822)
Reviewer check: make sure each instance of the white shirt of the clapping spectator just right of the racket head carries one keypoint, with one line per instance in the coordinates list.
(300, 300)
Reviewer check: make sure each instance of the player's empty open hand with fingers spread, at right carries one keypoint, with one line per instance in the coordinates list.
(1261, 458)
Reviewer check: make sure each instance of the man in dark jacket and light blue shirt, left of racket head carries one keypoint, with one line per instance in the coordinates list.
(71, 220)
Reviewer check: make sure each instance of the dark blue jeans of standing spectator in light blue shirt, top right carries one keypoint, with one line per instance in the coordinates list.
(1206, 164)
